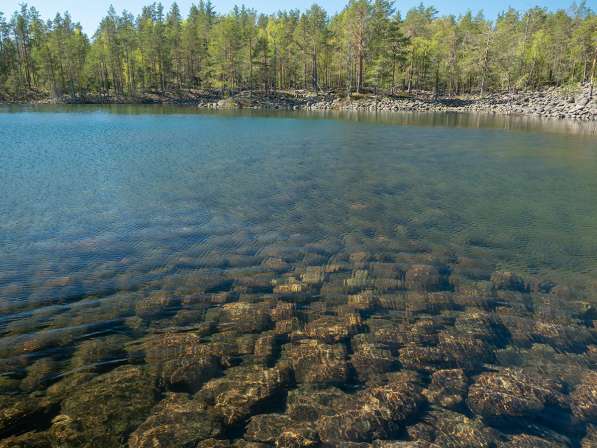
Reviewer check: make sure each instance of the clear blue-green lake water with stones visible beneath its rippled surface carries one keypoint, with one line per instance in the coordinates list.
(295, 279)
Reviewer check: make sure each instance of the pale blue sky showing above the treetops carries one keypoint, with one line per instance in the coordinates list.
(89, 12)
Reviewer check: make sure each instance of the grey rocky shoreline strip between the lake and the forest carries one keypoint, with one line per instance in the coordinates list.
(552, 103)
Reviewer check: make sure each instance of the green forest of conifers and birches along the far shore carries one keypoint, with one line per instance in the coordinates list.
(368, 45)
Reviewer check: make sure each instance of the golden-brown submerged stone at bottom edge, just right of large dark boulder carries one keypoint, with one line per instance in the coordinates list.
(176, 421)
